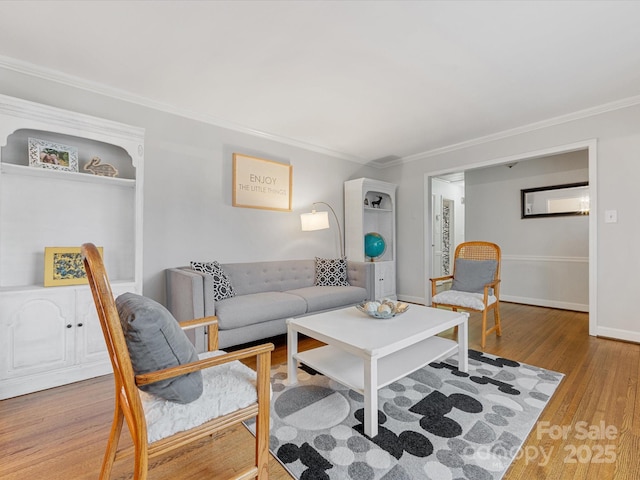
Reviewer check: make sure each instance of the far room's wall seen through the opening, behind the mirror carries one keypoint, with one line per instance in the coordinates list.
(545, 260)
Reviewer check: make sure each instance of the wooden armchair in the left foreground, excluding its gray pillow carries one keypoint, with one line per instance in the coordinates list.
(129, 399)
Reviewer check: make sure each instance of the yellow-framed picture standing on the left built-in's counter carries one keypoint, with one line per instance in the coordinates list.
(64, 266)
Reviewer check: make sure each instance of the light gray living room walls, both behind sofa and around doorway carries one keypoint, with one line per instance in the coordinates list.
(188, 211)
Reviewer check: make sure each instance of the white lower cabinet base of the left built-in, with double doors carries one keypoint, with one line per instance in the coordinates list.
(50, 337)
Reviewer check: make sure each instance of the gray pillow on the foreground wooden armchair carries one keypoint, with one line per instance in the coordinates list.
(156, 341)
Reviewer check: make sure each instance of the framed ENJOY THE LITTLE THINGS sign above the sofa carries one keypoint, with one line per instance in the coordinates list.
(259, 183)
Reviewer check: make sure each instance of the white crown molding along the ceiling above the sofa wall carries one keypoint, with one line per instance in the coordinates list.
(106, 90)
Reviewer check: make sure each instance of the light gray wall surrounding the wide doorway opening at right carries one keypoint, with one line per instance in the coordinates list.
(618, 168)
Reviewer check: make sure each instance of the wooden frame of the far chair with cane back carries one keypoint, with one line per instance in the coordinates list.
(477, 250)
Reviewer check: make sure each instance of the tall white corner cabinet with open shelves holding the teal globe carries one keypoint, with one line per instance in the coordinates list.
(370, 207)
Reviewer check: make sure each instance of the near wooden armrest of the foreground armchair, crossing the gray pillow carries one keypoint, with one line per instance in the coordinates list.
(262, 352)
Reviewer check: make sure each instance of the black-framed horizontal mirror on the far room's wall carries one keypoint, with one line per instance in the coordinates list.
(556, 200)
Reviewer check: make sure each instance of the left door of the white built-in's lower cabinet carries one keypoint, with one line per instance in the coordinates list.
(37, 332)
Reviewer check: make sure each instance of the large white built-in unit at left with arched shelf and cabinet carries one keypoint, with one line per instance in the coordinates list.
(51, 336)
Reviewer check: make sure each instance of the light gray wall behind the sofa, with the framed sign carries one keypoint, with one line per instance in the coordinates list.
(188, 173)
